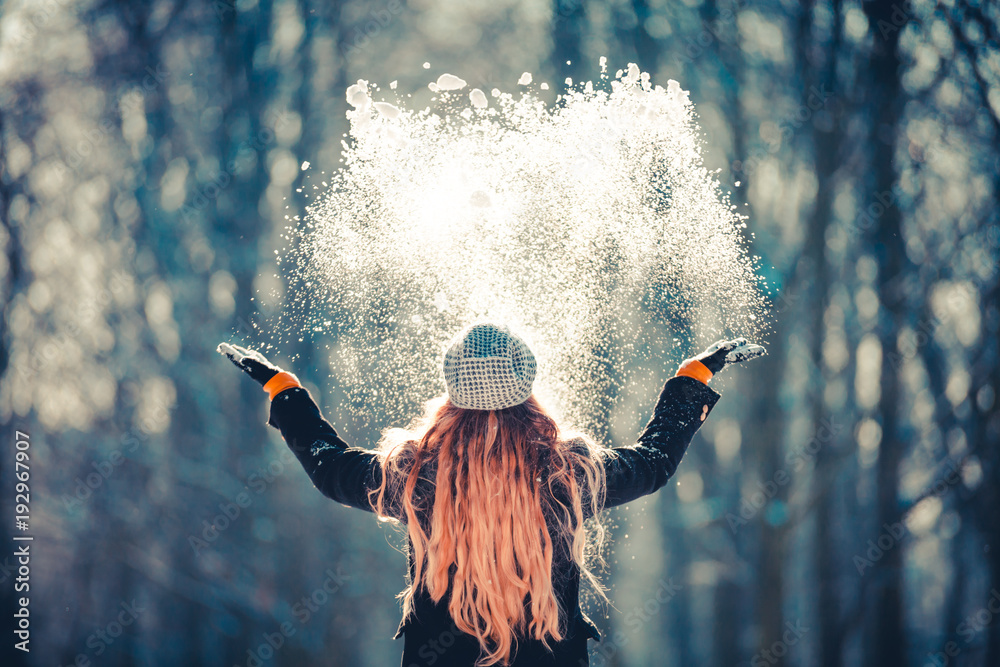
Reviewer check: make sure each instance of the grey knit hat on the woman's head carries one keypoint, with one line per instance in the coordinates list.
(488, 367)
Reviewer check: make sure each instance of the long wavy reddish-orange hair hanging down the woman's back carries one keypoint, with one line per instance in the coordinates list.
(508, 487)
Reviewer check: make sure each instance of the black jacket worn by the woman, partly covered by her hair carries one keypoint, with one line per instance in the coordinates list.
(346, 474)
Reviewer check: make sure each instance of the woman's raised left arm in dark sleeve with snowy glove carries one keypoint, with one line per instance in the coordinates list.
(340, 472)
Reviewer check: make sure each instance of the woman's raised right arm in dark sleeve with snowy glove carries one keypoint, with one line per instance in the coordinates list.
(684, 403)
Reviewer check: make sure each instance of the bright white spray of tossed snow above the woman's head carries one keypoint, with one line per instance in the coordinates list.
(590, 225)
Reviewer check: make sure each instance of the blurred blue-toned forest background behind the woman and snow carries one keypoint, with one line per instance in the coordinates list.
(150, 151)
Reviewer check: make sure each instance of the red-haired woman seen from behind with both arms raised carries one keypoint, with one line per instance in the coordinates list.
(493, 496)
